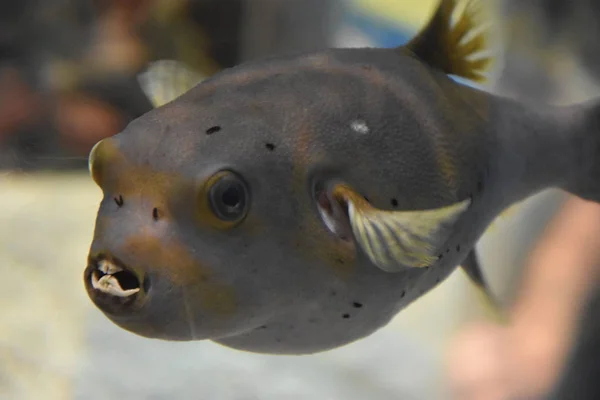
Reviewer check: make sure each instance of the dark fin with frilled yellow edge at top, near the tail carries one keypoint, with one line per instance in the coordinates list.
(451, 47)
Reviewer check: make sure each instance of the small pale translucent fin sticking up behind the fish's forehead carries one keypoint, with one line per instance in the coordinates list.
(165, 80)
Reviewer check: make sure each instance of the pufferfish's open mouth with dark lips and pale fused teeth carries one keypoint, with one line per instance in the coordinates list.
(111, 299)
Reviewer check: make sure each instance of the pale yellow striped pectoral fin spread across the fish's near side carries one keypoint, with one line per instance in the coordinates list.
(397, 240)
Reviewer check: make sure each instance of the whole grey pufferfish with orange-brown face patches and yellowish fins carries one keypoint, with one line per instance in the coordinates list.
(296, 204)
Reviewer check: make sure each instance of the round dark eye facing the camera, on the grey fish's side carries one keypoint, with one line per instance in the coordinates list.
(228, 196)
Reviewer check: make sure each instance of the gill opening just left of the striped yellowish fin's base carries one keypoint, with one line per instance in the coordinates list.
(333, 211)
